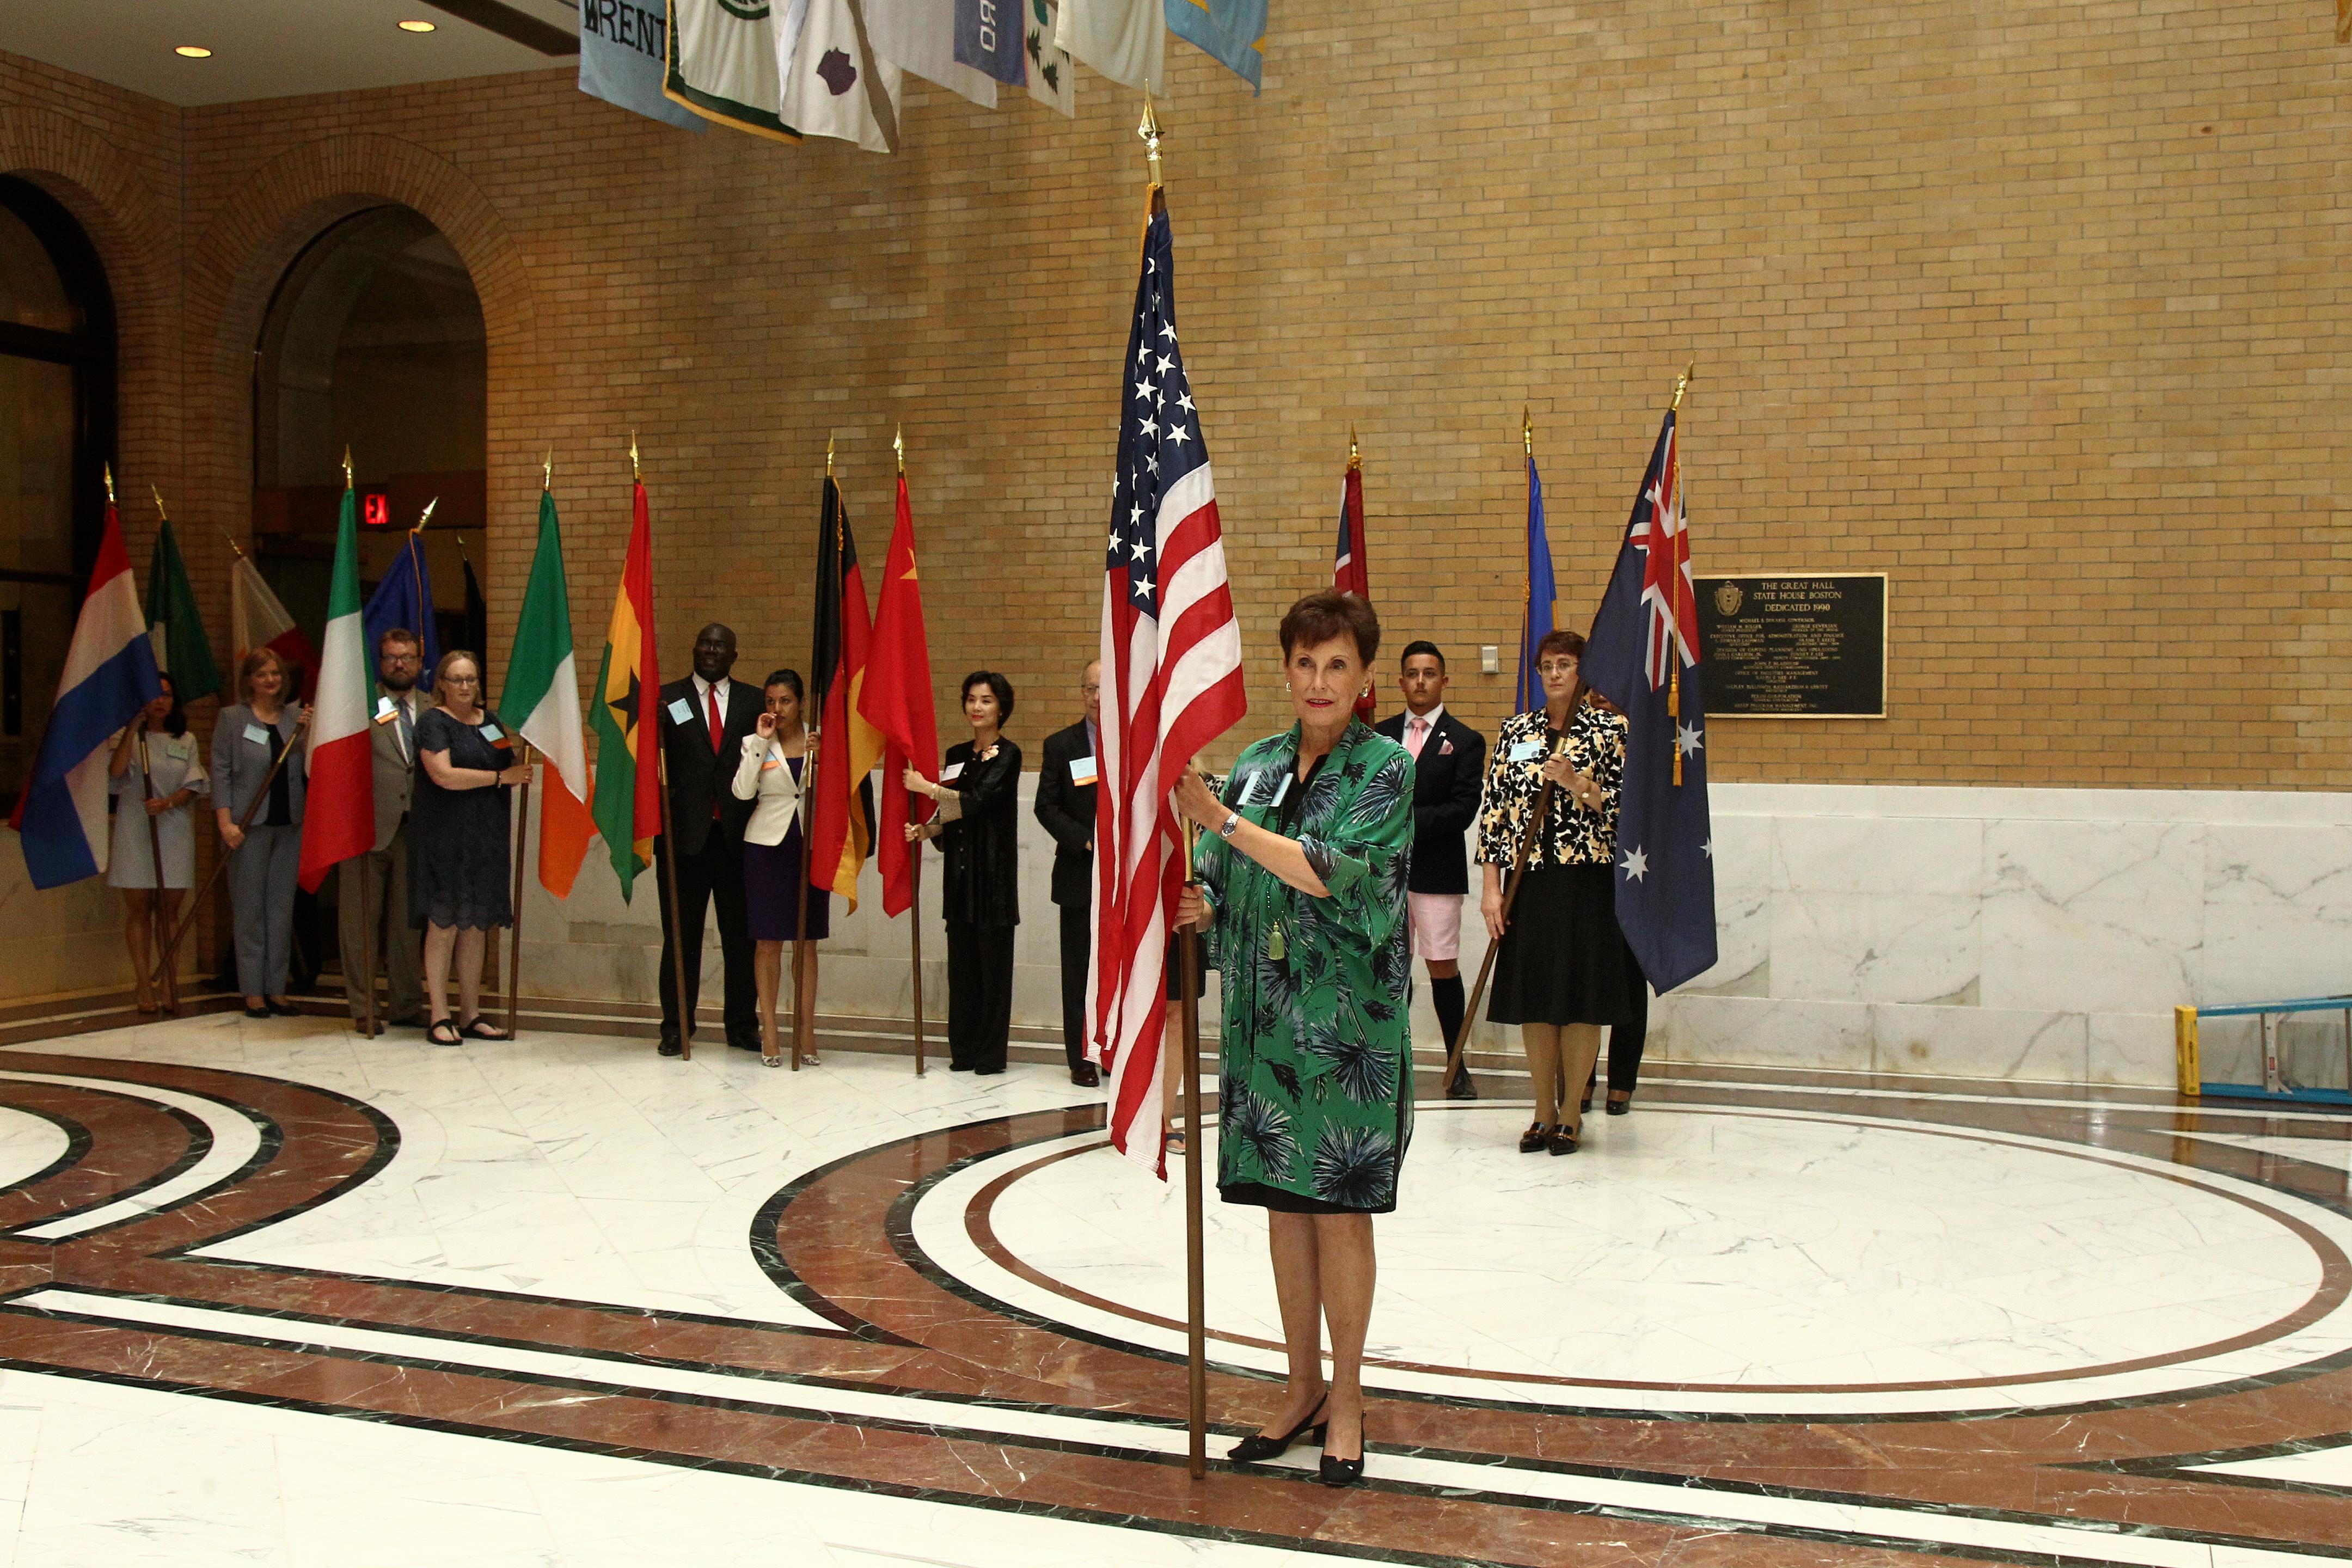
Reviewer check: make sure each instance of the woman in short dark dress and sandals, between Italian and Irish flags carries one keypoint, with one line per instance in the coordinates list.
(457, 843)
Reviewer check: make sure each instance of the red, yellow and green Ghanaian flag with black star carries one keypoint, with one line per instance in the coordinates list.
(627, 685)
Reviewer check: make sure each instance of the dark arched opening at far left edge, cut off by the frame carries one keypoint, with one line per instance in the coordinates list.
(58, 434)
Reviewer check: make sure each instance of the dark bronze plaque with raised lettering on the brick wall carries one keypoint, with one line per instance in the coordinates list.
(1796, 645)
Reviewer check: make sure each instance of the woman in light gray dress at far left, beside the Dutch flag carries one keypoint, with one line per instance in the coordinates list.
(156, 742)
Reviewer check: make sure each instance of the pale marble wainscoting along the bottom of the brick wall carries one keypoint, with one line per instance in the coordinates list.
(2005, 934)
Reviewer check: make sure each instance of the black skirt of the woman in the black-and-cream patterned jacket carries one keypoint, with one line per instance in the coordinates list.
(1563, 958)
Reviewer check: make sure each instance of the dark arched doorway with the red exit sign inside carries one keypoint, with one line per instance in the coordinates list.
(373, 344)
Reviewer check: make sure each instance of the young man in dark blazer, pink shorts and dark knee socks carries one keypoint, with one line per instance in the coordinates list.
(1450, 768)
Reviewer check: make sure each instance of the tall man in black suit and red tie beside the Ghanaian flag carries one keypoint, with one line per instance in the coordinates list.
(704, 721)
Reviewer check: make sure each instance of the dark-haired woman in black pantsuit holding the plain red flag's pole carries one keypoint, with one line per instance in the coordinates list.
(977, 817)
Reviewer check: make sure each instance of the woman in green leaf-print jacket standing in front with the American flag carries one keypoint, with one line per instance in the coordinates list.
(1302, 885)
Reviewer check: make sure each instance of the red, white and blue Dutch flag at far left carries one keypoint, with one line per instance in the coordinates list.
(109, 678)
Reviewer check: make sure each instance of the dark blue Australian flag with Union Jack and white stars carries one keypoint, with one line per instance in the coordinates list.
(1645, 659)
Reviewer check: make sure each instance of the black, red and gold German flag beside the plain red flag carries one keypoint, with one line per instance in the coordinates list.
(848, 746)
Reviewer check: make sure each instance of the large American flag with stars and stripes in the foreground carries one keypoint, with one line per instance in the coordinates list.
(1172, 655)
